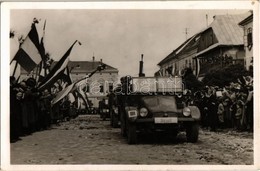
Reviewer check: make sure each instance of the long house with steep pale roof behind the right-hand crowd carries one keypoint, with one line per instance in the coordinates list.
(219, 45)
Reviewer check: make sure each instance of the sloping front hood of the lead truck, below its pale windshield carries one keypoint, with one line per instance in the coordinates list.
(160, 103)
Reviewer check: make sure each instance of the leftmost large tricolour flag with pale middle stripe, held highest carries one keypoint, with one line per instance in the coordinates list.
(28, 55)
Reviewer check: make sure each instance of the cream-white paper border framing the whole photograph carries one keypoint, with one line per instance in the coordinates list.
(5, 27)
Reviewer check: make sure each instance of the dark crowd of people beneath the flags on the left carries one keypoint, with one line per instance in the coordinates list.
(31, 110)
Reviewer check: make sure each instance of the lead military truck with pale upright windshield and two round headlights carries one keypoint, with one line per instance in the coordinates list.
(145, 104)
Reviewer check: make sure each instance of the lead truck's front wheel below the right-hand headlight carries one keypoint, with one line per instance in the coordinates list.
(192, 132)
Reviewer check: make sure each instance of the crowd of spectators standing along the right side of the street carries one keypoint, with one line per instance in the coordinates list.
(227, 107)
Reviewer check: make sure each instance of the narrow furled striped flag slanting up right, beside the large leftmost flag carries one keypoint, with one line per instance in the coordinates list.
(57, 71)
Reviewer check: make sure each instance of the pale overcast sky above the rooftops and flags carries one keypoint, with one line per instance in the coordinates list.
(117, 36)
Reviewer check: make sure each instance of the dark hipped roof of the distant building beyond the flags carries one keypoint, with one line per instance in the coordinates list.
(87, 66)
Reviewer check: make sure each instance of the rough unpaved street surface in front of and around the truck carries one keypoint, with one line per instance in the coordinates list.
(89, 140)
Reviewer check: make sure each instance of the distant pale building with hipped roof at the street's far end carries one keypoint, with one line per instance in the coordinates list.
(96, 87)
